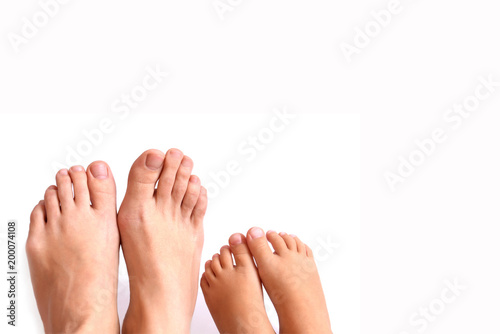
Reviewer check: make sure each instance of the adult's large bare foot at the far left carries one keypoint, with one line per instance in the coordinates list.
(72, 250)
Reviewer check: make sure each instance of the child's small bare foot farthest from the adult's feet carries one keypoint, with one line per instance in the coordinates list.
(291, 280)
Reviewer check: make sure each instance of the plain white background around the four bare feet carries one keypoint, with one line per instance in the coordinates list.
(440, 224)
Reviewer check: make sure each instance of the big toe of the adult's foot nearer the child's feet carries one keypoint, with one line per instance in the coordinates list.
(144, 174)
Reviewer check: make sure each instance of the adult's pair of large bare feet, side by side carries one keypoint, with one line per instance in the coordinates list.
(73, 247)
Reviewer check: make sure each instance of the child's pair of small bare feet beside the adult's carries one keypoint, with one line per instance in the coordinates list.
(233, 291)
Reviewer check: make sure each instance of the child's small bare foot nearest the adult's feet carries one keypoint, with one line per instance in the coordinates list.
(233, 293)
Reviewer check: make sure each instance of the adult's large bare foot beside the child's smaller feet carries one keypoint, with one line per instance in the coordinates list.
(162, 237)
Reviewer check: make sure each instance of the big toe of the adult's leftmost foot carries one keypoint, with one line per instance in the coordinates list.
(101, 185)
